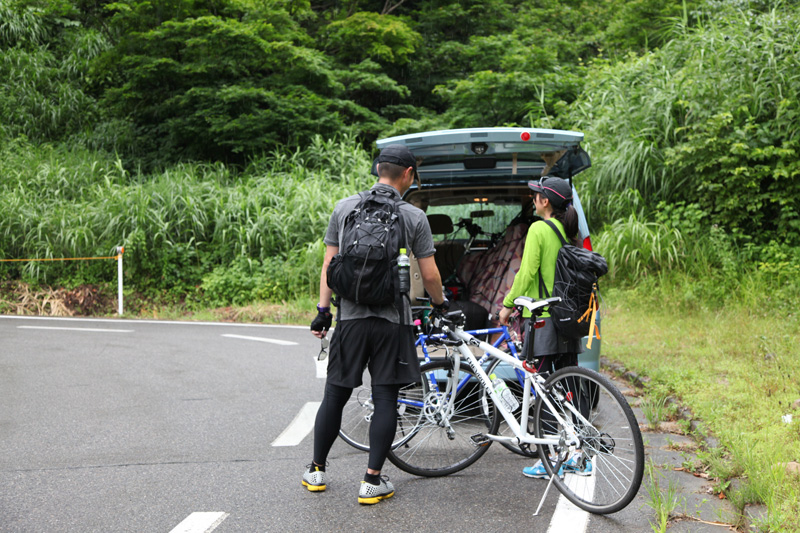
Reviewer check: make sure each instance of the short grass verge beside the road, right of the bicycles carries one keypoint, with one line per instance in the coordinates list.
(735, 367)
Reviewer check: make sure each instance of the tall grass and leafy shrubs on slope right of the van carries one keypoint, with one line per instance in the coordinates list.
(712, 117)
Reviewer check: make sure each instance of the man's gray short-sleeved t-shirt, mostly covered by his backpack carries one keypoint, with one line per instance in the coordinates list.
(418, 239)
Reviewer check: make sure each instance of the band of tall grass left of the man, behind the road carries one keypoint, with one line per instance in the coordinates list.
(177, 225)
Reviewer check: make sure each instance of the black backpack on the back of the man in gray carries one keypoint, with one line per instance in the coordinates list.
(365, 269)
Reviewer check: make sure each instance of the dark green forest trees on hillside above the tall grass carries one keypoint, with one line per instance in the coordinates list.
(226, 80)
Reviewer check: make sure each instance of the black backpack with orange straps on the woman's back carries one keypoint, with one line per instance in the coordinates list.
(577, 270)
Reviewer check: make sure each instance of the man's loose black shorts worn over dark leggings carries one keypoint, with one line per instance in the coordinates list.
(387, 349)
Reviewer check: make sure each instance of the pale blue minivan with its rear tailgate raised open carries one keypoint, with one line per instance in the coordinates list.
(473, 185)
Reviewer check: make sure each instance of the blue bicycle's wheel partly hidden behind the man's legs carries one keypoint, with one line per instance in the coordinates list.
(357, 415)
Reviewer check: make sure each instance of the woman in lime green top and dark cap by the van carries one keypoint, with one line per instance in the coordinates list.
(552, 201)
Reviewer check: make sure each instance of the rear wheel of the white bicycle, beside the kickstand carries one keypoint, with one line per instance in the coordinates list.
(604, 475)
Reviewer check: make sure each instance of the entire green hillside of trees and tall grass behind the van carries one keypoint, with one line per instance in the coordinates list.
(212, 137)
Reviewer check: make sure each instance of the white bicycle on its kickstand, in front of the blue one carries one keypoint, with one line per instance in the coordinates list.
(579, 423)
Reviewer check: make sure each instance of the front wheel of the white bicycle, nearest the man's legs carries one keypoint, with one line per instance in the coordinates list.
(442, 442)
